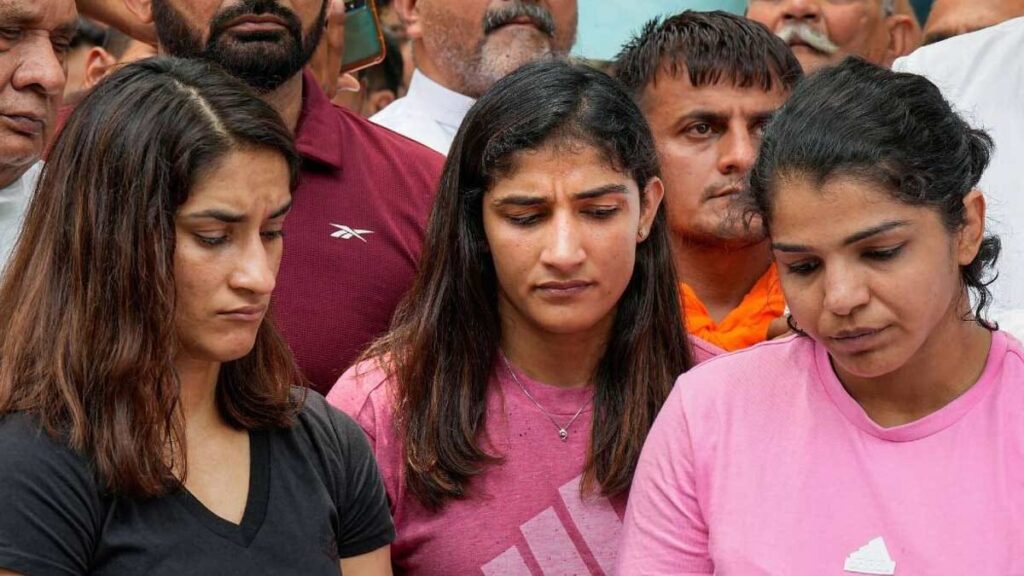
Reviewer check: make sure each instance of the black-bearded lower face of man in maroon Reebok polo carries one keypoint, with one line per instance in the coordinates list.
(264, 43)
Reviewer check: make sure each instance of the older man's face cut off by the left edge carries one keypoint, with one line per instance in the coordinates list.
(34, 46)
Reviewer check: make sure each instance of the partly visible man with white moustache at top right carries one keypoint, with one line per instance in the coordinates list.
(825, 32)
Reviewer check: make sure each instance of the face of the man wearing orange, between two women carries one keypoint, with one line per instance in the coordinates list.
(708, 139)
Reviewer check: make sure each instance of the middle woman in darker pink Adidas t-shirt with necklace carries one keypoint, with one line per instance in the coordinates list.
(508, 405)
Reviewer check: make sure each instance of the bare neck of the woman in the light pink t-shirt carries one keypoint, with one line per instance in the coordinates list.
(950, 362)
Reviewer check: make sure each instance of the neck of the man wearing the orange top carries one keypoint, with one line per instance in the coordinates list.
(720, 277)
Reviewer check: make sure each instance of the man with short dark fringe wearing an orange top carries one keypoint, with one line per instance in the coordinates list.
(708, 84)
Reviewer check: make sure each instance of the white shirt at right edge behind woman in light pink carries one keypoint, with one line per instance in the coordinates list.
(983, 76)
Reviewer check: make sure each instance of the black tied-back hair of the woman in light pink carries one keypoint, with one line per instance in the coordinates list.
(857, 119)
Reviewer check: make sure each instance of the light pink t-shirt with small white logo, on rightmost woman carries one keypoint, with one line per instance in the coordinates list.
(760, 463)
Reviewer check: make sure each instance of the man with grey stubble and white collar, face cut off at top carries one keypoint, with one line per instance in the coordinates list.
(461, 49)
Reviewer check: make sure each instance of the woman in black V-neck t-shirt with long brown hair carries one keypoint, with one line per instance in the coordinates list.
(149, 423)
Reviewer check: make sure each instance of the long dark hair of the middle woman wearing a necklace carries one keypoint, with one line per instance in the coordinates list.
(447, 334)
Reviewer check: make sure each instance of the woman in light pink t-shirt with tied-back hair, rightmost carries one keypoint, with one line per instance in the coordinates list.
(888, 436)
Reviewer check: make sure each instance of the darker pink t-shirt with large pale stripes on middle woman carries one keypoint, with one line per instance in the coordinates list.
(527, 516)
